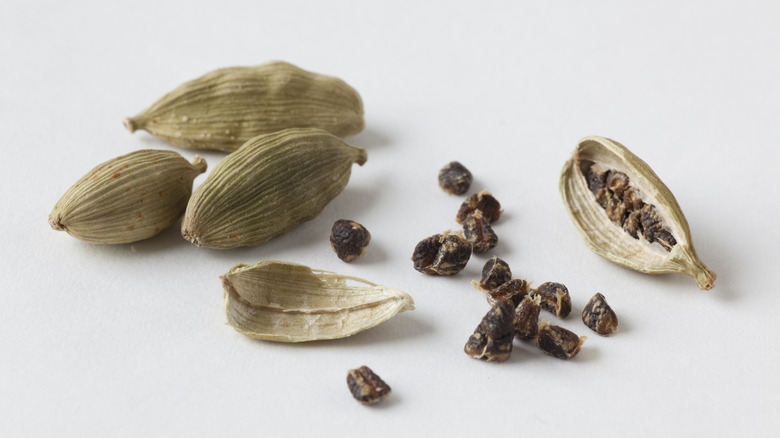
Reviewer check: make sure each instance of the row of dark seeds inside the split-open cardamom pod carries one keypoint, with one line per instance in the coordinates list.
(625, 207)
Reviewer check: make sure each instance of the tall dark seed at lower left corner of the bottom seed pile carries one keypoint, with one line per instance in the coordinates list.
(492, 339)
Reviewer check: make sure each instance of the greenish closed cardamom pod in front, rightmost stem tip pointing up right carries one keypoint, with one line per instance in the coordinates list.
(267, 187)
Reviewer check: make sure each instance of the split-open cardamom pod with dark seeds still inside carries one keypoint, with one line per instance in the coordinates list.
(626, 213)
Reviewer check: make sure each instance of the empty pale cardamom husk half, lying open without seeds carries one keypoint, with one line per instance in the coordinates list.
(288, 302)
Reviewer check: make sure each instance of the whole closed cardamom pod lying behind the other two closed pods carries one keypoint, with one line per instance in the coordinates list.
(226, 107)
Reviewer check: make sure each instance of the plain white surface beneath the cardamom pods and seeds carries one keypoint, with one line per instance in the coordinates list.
(131, 340)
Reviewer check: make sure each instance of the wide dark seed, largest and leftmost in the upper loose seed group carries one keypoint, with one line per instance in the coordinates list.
(441, 254)
